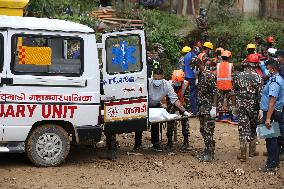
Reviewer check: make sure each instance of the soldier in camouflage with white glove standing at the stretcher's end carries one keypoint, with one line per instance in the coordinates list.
(207, 101)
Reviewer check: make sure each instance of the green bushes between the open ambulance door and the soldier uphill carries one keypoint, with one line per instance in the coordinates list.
(165, 28)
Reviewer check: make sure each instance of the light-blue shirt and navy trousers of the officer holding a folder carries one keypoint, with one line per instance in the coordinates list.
(273, 88)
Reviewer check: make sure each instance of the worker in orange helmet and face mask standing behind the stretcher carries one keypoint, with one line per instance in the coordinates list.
(180, 86)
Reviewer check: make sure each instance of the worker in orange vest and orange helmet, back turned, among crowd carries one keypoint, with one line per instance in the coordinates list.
(224, 84)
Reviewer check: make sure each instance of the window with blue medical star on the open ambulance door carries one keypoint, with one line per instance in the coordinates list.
(124, 54)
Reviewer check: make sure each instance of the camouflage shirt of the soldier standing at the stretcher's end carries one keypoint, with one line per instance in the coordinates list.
(206, 91)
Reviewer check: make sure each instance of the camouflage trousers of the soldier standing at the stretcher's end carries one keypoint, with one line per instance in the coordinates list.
(207, 127)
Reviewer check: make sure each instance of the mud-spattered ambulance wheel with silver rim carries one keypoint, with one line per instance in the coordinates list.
(48, 145)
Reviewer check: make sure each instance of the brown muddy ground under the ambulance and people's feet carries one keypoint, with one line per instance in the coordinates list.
(86, 168)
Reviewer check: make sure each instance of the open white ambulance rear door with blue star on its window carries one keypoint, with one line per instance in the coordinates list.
(125, 80)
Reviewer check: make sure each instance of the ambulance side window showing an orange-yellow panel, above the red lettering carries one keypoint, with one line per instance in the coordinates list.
(47, 55)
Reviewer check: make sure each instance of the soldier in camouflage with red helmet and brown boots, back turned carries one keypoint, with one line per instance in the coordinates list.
(247, 86)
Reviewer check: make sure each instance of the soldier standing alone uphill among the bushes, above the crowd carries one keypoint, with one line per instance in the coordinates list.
(202, 23)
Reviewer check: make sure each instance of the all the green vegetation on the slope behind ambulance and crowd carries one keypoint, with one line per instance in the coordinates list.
(227, 29)
